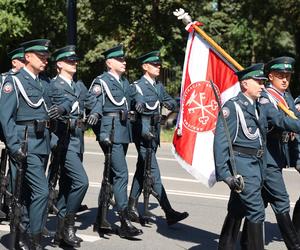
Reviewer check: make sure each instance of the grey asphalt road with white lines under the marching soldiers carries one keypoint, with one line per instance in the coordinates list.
(207, 209)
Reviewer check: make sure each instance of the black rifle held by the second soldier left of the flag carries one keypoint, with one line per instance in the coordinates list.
(105, 198)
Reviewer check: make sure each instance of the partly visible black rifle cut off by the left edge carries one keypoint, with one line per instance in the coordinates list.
(3, 181)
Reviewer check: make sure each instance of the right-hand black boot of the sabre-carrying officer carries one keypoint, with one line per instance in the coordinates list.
(254, 236)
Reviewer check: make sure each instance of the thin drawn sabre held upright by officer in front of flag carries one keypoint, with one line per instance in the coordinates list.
(231, 154)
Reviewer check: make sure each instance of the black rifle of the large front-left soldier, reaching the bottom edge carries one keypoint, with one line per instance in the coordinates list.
(15, 216)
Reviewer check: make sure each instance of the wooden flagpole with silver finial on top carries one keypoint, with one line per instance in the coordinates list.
(187, 20)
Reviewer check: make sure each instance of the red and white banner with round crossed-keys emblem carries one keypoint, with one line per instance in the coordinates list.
(194, 132)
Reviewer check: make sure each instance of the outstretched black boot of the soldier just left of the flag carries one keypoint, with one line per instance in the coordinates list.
(172, 216)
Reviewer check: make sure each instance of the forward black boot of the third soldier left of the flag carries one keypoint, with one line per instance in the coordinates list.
(69, 237)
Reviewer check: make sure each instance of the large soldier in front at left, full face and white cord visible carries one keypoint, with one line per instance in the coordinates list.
(25, 103)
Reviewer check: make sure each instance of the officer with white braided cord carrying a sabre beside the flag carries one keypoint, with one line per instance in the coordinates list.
(243, 127)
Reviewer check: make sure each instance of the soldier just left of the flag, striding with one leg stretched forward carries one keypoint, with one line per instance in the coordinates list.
(146, 131)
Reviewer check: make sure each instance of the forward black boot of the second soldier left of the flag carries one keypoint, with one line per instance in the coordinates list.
(127, 230)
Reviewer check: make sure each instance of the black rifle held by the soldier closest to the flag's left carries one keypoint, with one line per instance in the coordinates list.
(148, 180)
